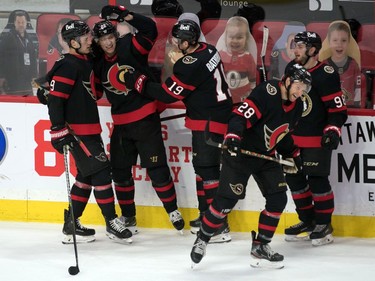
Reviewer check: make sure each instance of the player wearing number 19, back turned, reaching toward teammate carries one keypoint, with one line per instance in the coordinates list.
(198, 81)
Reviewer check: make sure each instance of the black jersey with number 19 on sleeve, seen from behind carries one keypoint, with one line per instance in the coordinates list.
(198, 81)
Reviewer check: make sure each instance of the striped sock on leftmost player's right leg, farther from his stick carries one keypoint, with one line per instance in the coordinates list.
(106, 200)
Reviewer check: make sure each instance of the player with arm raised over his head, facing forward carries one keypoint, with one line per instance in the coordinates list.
(137, 127)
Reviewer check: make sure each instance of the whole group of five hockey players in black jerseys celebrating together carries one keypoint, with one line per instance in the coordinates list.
(298, 117)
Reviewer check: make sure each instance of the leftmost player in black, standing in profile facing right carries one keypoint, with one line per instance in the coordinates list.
(73, 110)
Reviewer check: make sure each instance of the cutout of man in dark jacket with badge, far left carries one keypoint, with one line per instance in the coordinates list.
(18, 52)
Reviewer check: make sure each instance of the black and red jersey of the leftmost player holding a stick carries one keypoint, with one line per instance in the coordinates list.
(73, 95)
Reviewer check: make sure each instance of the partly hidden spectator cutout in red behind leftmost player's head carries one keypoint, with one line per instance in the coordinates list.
(57, 46)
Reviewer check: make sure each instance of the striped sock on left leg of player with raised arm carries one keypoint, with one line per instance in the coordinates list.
(125, 197)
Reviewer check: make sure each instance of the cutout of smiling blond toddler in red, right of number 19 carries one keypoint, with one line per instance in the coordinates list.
(238, 51)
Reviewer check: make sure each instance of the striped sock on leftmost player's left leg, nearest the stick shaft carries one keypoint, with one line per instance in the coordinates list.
(80, 194)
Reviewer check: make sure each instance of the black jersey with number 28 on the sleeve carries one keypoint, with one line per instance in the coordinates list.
(263, 120)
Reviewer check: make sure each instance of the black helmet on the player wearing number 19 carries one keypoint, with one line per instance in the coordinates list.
(187, 30)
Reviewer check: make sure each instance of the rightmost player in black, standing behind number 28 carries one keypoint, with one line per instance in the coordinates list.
(317, 134)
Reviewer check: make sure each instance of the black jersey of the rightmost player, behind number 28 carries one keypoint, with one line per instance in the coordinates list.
(324, 105)
